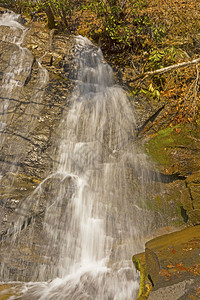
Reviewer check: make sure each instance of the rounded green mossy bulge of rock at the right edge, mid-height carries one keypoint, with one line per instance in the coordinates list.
(176, 149)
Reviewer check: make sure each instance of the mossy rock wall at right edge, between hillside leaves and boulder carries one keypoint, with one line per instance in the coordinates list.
(176, 150)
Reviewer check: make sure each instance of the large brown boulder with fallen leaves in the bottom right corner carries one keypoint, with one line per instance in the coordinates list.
(172, 264)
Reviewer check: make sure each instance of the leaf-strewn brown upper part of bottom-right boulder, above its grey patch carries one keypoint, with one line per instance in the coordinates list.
(180, 247)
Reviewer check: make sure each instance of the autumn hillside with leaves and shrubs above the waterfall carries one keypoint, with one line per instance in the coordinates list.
(136, 35)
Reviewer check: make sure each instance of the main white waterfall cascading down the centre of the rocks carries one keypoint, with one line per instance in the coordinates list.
(94, 224)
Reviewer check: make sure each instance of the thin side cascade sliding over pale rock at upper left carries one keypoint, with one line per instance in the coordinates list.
(15, 78)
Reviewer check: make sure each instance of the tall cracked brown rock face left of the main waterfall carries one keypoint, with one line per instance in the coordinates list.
(33, 96)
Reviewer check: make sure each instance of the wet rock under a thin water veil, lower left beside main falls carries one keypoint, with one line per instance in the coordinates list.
(31, 249)
